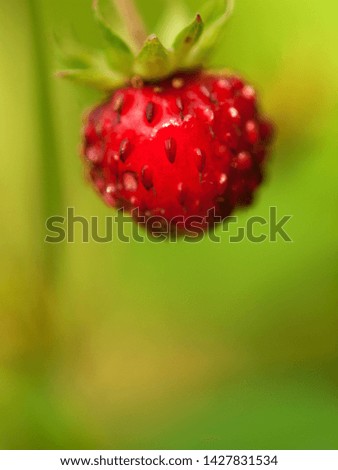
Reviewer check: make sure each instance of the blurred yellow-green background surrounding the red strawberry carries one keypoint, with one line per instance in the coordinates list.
(180, 346)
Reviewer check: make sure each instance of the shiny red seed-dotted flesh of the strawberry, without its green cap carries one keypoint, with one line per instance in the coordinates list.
(178, 148)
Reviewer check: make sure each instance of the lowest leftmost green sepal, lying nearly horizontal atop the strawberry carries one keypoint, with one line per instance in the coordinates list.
(100, 80)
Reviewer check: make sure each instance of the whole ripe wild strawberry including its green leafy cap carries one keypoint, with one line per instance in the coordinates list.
(172, 143)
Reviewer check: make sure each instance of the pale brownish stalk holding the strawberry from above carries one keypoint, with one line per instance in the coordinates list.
(133, 21)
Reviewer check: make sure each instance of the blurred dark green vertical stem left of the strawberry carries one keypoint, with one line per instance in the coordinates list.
(52, 199)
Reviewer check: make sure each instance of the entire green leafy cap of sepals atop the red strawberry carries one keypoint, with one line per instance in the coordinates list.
(116, 65)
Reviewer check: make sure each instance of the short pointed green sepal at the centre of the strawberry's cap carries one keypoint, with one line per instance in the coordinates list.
(154, 61)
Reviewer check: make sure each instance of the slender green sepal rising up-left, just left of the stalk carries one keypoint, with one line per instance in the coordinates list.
(119, 54)
